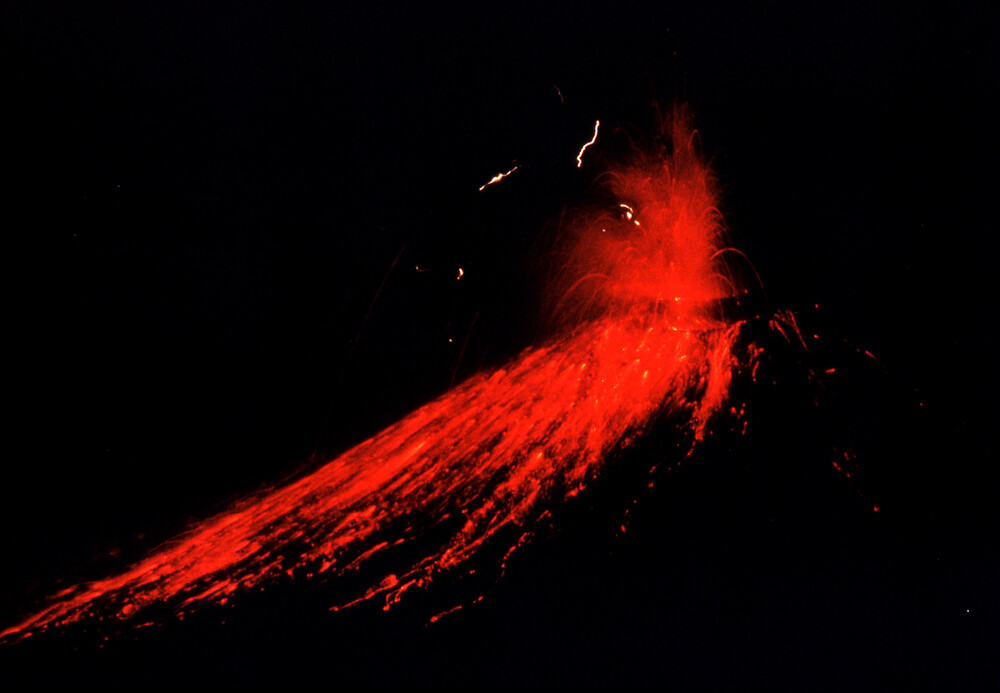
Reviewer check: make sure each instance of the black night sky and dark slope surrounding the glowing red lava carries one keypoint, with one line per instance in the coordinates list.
(205, 199)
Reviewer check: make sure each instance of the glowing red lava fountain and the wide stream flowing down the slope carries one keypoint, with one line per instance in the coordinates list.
(493, 454)
